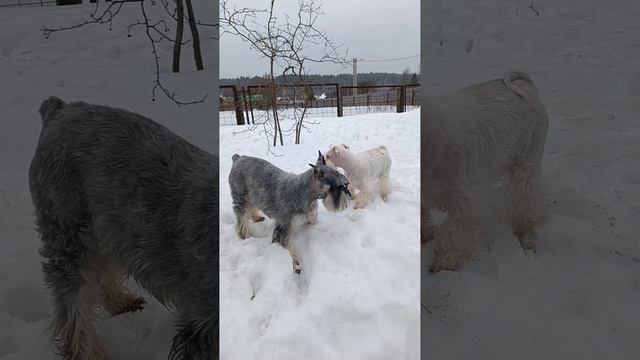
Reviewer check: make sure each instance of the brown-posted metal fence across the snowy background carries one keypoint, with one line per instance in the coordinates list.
(246, 105)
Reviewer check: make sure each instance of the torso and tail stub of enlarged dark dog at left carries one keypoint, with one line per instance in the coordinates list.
(128, 183)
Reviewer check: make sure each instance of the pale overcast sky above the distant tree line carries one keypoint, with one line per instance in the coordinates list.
(370, 29)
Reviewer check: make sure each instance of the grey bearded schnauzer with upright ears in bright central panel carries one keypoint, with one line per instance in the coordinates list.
(257, 185)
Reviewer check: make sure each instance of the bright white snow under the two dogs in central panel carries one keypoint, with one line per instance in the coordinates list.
(357, 297)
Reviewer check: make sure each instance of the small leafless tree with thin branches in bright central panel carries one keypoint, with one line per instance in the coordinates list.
(285, 45)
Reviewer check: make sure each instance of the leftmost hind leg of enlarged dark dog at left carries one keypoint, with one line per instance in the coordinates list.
(74, 289)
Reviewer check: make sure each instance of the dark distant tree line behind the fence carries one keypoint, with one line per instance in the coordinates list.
(364, 79)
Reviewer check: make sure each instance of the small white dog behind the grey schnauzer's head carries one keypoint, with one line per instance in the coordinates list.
(363, 170)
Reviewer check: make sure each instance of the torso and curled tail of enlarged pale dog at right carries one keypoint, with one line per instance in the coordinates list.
(499, 108)
